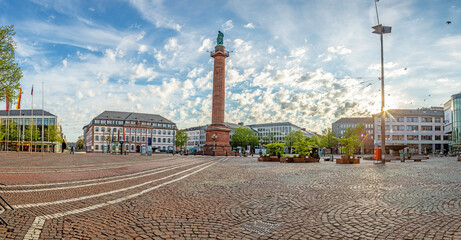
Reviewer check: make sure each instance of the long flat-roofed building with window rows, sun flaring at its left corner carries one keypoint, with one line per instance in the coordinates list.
(421, 130)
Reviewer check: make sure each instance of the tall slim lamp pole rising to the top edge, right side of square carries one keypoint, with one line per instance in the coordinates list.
(380, 29)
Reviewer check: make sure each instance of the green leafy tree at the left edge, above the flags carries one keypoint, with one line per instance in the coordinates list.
(10, 73)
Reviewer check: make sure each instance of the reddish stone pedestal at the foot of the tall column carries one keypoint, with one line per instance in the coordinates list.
(220, 146)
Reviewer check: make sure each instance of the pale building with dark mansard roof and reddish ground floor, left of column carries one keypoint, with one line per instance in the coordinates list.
(113, 131)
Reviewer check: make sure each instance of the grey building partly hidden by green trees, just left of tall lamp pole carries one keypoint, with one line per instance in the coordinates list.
(342, 124)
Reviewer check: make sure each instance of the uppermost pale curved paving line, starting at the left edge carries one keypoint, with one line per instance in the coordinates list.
(154, 171)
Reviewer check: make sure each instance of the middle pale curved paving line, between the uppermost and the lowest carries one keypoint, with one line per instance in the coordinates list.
(106, 193)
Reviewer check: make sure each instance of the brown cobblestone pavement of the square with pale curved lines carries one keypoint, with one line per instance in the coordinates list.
(86, 196)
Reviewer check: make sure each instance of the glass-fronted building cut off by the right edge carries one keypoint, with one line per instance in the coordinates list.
(452, 113)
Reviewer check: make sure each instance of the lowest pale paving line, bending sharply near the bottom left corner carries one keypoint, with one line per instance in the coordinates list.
(36, 228)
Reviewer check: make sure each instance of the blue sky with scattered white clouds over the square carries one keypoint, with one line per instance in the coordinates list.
(307, 62)
